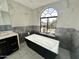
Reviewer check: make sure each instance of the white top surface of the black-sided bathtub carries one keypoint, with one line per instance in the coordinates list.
(48, 43)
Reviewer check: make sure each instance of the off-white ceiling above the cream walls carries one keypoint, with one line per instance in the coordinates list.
(35, 3)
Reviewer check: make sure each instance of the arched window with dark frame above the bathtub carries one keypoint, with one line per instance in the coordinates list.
(48, 20)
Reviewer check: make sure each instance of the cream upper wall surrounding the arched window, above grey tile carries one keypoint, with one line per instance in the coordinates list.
(67, 11)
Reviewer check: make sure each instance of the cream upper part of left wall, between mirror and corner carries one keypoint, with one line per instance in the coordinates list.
(20, 15)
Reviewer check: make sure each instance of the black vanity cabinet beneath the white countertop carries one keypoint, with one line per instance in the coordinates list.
(8, 45)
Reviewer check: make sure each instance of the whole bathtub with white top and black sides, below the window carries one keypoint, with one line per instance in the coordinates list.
(43, 45)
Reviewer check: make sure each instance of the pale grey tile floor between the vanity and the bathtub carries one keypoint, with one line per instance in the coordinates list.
(24, 53)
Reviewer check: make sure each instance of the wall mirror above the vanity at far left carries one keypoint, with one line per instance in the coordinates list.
(5, 21)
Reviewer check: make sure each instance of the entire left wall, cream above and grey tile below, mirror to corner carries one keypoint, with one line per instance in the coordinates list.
(21, 18)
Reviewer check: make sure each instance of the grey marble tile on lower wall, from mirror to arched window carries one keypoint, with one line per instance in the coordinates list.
(23, 30)
